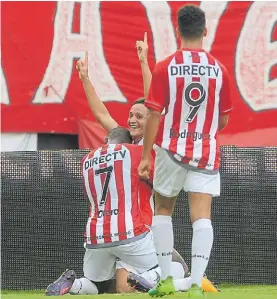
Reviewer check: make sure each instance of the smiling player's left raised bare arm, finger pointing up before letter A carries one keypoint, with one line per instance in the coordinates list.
(98, 109)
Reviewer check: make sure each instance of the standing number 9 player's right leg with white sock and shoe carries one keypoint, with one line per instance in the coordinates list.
(200, 213)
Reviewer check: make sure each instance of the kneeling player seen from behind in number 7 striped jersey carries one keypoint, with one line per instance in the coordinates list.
(116, 227)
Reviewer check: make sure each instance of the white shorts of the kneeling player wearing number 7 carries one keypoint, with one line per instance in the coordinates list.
(137, 257)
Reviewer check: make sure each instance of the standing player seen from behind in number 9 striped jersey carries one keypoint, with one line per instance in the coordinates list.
(193, 87)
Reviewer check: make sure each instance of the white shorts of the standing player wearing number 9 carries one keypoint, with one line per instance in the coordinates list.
(170, 178)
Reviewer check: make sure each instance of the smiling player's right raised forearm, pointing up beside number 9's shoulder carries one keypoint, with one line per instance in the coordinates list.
(142, 50)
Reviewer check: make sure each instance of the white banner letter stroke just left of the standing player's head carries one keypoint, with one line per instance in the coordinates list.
(159, 17)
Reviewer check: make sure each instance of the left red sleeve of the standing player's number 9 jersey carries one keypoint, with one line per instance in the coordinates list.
(158, 96)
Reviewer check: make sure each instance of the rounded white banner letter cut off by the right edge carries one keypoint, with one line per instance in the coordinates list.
(256, 55)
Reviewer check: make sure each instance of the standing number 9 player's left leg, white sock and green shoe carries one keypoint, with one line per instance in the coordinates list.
(163, 239)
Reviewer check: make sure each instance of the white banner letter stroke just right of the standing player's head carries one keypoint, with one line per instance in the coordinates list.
(213, 11)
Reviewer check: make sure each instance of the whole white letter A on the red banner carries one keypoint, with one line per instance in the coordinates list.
(67, 46)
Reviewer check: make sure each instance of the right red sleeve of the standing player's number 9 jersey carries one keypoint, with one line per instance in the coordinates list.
(225, 103)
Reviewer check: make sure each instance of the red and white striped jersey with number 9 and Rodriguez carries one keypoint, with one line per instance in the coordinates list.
(193, 87)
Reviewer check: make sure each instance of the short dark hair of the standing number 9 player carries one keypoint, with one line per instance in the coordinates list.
(191, 21)
